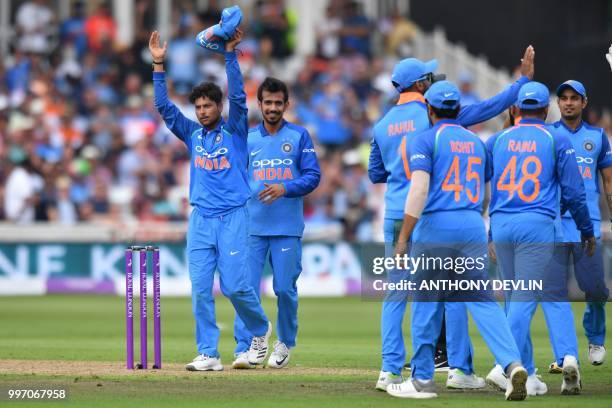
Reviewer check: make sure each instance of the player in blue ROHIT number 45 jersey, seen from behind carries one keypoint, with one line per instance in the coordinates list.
(443, 215)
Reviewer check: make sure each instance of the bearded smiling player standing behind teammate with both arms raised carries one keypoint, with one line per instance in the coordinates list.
(283, 168)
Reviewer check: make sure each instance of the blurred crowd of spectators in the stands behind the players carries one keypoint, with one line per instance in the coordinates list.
(80, 139)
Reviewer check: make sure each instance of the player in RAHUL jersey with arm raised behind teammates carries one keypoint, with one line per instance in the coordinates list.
(389, 164)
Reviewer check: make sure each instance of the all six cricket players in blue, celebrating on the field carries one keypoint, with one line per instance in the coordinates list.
(246, 187)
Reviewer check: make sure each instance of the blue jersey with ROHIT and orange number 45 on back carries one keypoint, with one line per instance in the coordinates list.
(456, 160)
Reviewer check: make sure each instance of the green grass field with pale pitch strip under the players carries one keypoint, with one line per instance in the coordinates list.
(68, 339)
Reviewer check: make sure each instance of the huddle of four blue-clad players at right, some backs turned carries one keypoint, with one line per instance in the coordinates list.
(539, 185)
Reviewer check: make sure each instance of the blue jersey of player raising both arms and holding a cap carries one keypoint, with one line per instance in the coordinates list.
(218, 182)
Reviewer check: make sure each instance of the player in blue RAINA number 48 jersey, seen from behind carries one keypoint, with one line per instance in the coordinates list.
(531, 163)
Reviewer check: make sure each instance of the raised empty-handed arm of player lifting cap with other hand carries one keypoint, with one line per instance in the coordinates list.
(178, 124)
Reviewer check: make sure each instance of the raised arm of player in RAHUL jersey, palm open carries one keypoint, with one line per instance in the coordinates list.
(485, 110)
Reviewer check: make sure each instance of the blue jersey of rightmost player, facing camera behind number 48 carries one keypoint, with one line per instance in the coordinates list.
(593, 153)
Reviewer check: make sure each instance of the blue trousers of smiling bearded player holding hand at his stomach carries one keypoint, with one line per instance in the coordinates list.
(285, 255)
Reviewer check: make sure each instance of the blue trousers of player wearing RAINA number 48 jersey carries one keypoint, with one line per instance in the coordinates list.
(525, 248)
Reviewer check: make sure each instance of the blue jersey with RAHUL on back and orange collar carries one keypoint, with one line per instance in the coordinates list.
(389, 159)
